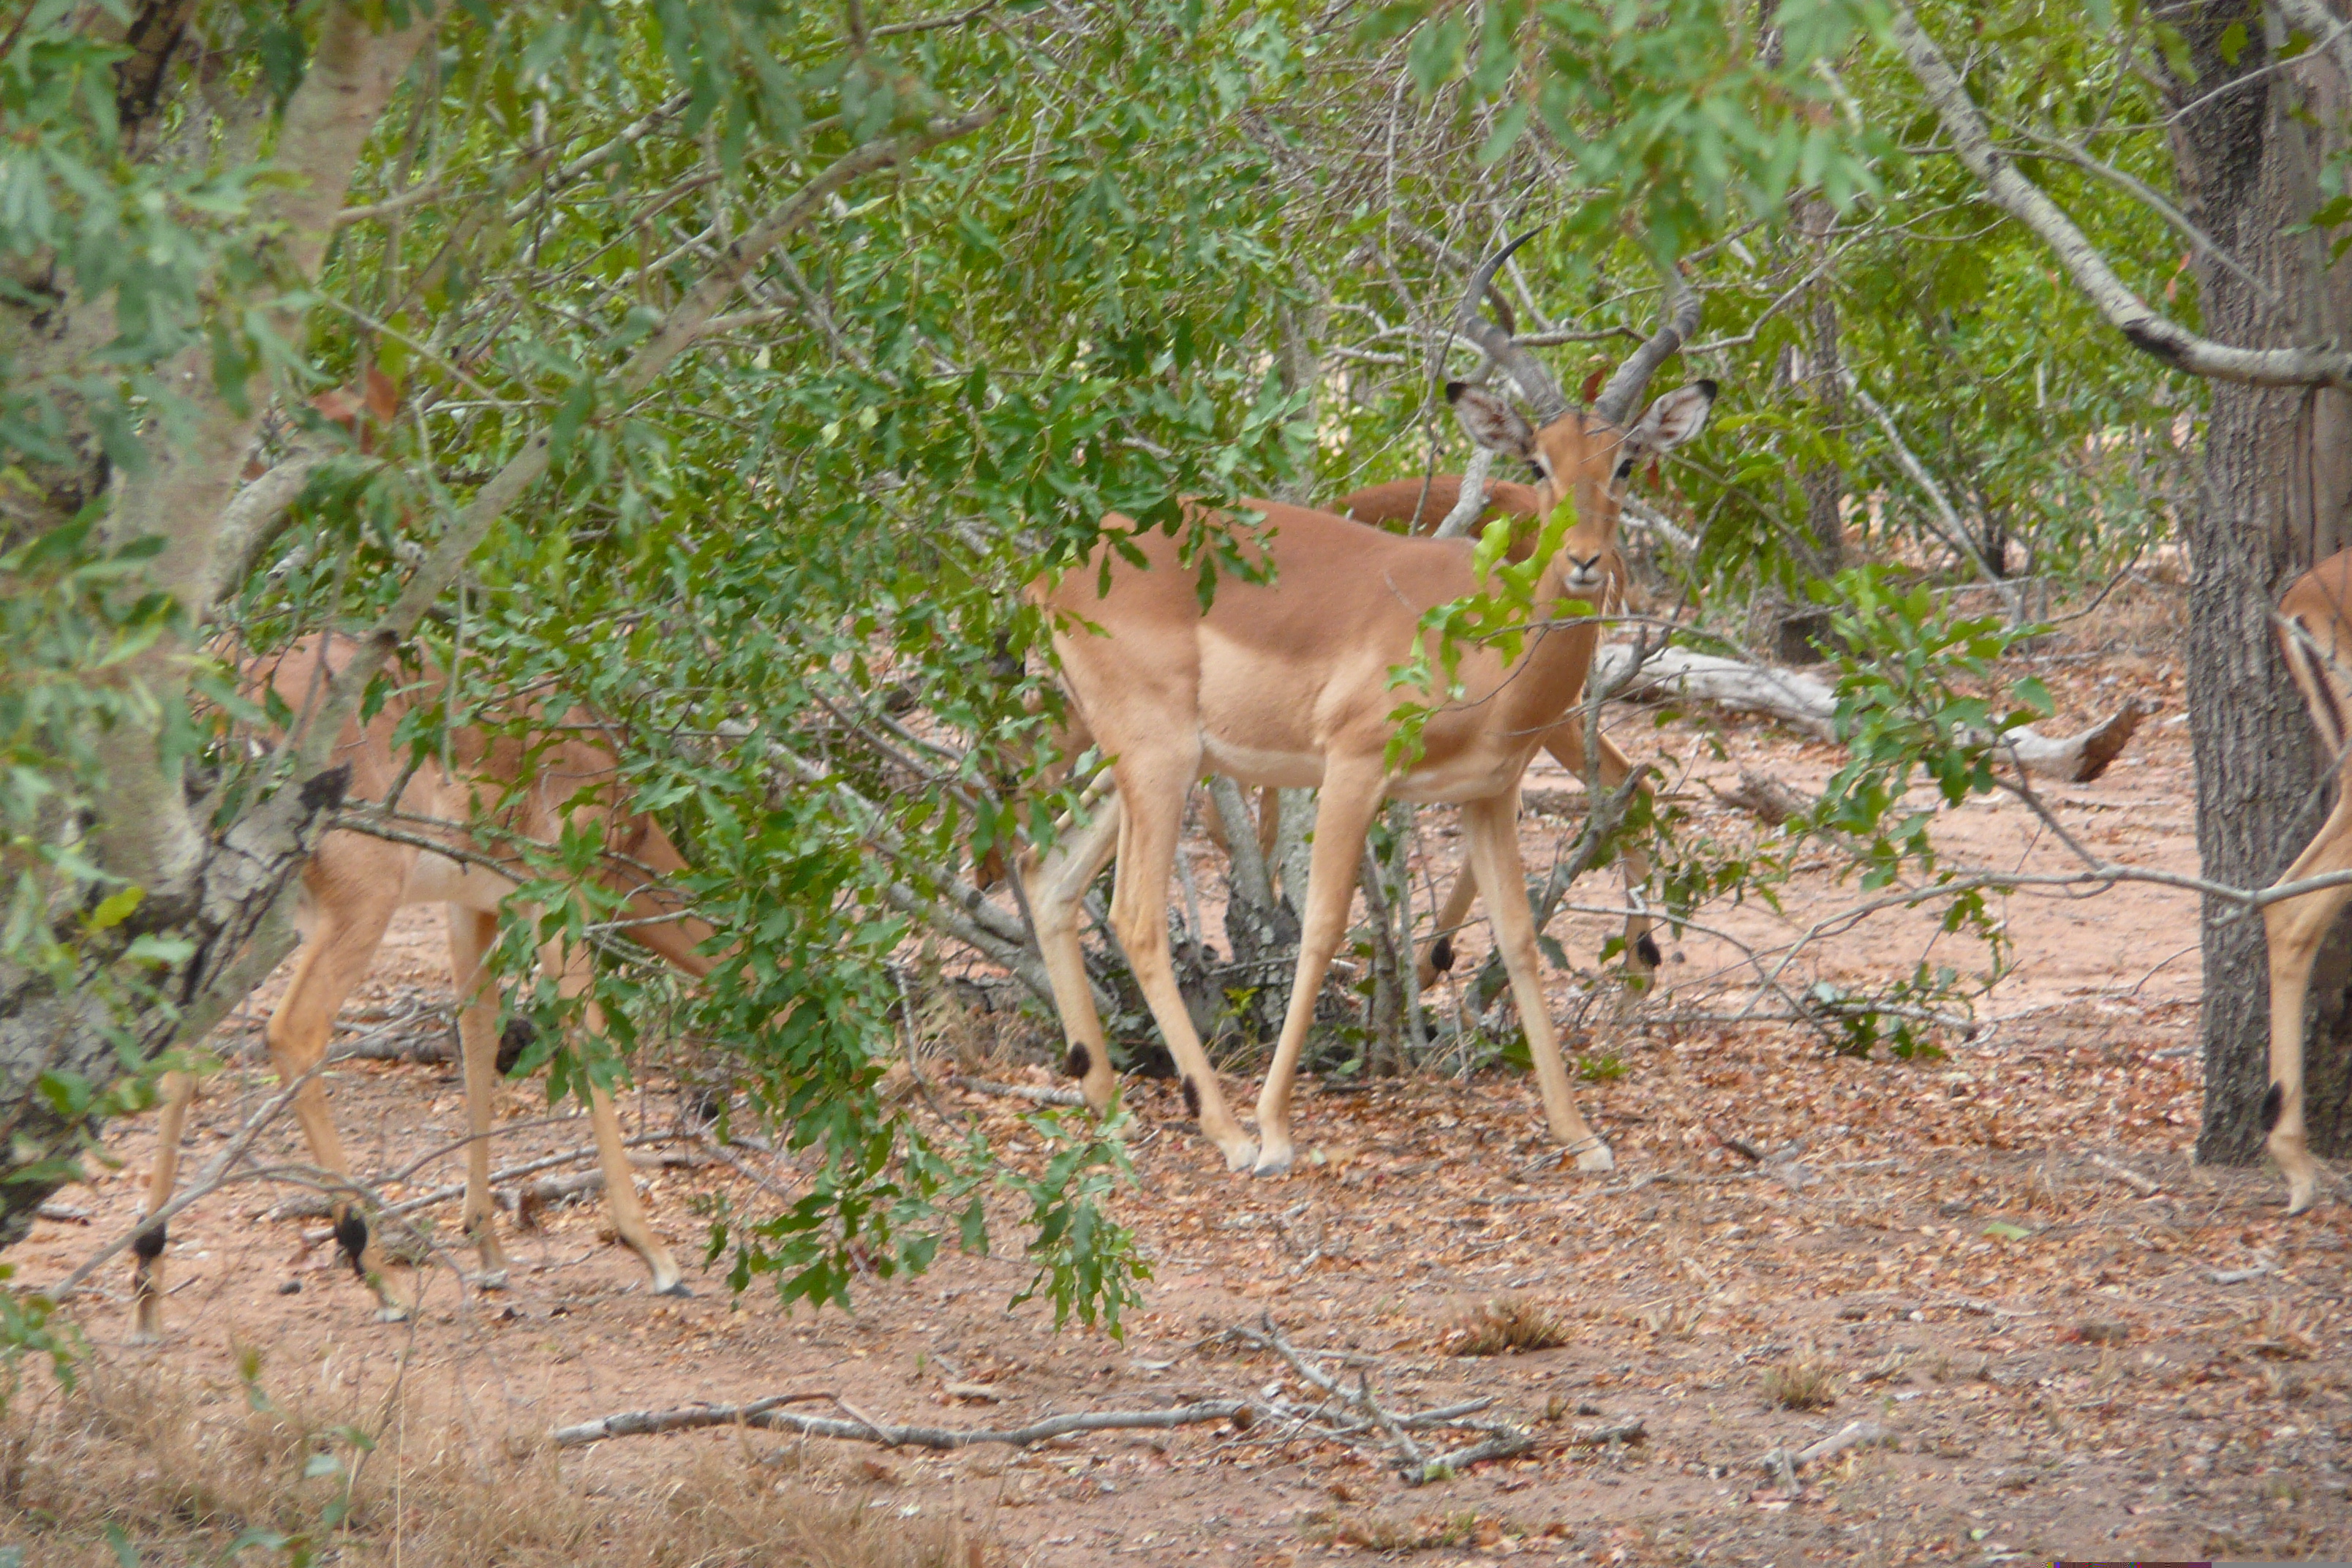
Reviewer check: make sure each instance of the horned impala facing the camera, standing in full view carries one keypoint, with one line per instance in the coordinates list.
(1285, 683)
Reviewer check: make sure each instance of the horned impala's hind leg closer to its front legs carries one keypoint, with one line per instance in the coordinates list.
(1154, 793)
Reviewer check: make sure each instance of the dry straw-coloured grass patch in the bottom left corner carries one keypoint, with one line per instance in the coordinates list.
(159, 1466)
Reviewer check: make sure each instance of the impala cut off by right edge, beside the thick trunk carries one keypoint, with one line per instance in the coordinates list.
(2316, 634)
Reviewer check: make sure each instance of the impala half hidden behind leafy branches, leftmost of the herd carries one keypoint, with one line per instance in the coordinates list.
(349, 894)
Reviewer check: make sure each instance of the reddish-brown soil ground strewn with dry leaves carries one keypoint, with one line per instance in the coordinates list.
(2050, 1353)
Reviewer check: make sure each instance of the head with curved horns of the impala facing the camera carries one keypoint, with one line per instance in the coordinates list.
(1579, 453)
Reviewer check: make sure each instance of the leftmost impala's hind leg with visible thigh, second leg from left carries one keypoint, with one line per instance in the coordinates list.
(345, 934)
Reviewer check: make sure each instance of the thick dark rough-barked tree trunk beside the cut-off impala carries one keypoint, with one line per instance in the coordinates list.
(2278, 500)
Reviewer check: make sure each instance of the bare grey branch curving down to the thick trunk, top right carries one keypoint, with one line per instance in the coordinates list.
(2125, 311)
